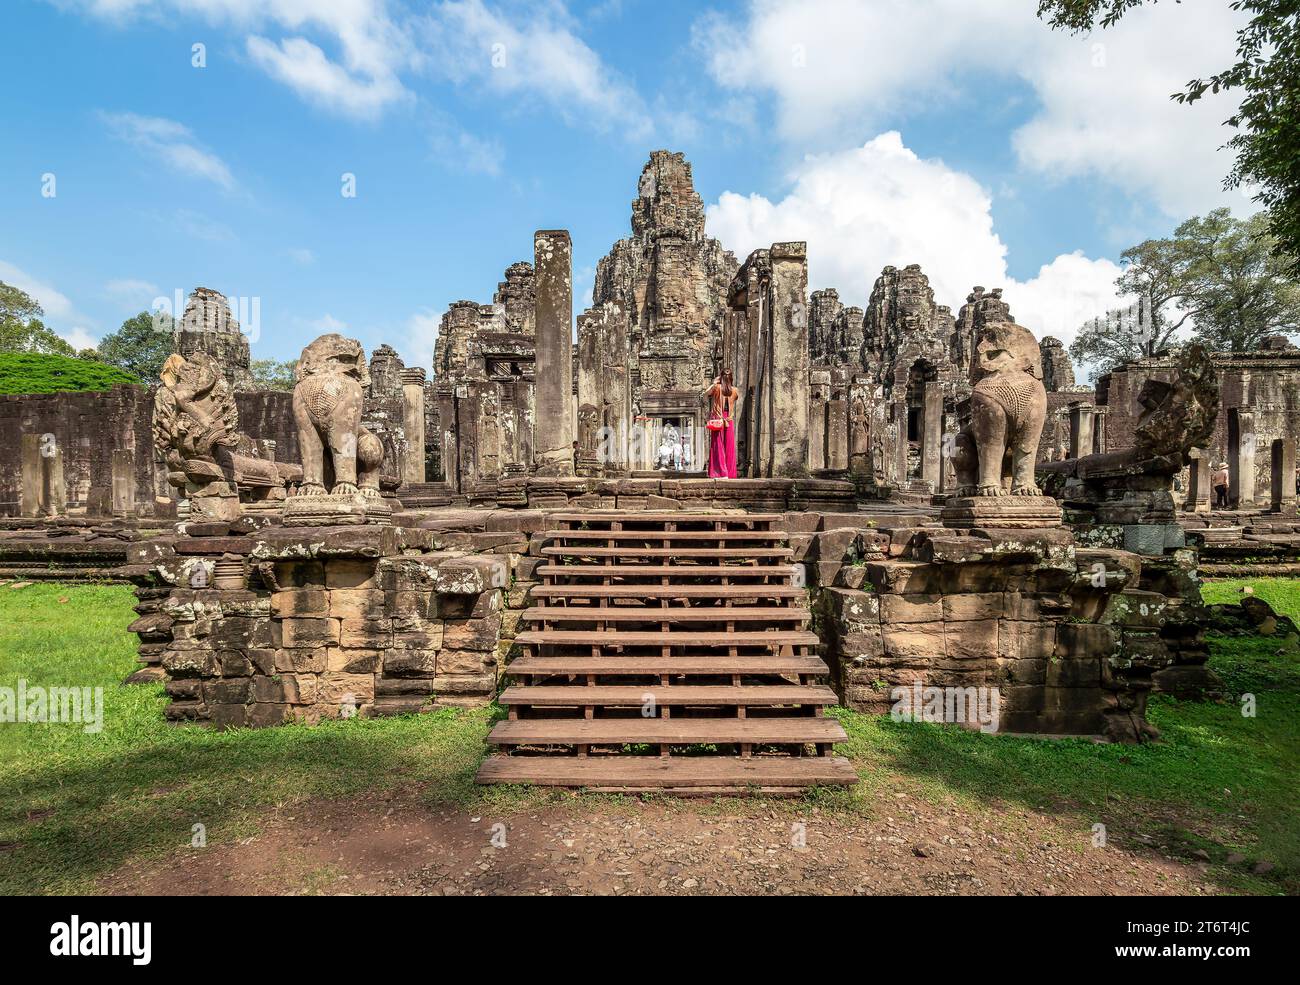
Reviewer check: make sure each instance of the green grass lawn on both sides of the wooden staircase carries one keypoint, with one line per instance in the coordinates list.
(76, 806)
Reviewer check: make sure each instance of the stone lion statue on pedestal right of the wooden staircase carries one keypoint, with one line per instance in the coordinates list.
(996, 449)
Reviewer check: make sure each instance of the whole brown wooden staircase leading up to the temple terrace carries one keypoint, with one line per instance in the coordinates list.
(668, 652)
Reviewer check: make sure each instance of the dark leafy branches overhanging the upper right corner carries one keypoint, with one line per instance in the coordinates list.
(1268, 123)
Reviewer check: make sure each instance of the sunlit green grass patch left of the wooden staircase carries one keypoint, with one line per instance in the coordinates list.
(75, 806)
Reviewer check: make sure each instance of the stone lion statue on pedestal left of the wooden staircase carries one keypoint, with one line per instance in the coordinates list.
(340, 457)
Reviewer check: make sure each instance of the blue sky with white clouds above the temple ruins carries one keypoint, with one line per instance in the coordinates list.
(964, 137)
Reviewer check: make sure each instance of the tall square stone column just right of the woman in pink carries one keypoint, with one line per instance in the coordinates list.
(790, 320)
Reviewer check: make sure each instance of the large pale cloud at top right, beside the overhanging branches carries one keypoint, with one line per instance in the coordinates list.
(837, 67)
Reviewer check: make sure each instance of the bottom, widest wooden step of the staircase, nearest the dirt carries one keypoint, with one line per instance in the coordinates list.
(684, 775)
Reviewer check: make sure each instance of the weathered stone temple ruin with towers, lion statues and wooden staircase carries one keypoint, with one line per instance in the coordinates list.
(931, 518)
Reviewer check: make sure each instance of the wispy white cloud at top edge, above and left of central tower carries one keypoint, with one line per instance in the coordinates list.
(535, 57)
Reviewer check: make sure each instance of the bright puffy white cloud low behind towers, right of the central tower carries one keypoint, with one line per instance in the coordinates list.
(882, 205)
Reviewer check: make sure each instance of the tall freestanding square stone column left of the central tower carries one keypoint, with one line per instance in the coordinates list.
(553, 445)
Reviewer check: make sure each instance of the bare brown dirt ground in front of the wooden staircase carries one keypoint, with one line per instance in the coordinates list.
(907, 845)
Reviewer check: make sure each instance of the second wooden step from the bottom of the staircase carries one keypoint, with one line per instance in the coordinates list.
(666, 732)
